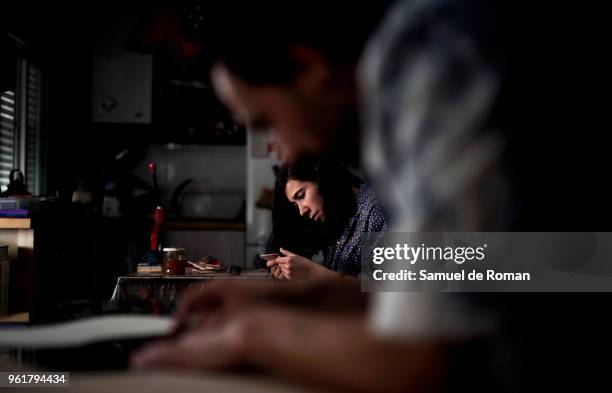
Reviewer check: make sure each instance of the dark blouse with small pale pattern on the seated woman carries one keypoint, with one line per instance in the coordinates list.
(344, 255)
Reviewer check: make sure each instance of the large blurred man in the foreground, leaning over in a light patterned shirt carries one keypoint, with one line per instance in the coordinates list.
(432, 88)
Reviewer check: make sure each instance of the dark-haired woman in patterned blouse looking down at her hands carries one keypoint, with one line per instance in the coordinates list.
(319, 205)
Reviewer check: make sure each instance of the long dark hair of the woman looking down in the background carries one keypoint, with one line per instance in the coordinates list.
(300, 234)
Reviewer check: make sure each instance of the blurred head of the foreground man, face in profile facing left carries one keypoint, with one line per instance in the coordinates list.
(290, 67)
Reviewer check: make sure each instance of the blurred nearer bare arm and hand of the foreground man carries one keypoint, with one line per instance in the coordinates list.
(328, 350)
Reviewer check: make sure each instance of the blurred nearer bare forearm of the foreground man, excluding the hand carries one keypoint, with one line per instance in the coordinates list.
(337, 352)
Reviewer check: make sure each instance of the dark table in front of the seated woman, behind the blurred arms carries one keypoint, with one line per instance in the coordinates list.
(162, 292)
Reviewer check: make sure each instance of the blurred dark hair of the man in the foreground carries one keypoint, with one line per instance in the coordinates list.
(253, 39)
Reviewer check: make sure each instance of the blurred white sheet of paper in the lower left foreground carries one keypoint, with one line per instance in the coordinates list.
(86, 331)
